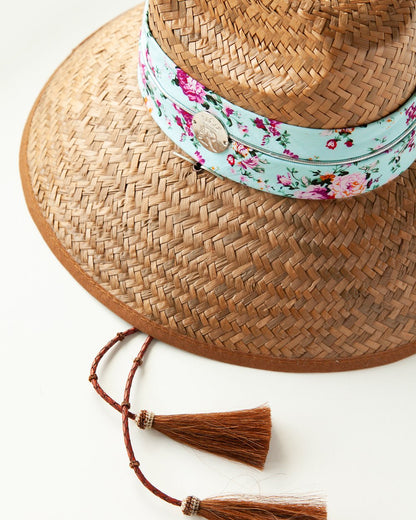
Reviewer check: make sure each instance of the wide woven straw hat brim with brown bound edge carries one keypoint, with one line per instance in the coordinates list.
(204, 264)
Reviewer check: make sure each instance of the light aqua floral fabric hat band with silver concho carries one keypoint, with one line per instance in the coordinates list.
(266, 154)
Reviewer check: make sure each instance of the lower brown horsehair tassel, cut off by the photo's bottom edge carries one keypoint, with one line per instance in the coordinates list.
(240, 509)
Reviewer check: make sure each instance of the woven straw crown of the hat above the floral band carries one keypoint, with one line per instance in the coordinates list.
(319, 64)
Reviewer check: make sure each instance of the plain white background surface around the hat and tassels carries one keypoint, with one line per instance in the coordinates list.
(349, 435)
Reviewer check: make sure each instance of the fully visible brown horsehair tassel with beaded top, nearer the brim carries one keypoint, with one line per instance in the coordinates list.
(243, 435)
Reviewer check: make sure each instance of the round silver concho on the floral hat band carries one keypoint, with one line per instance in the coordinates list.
(210, 132)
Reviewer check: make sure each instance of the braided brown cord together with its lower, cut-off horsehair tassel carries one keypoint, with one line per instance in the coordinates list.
(243, 508)
